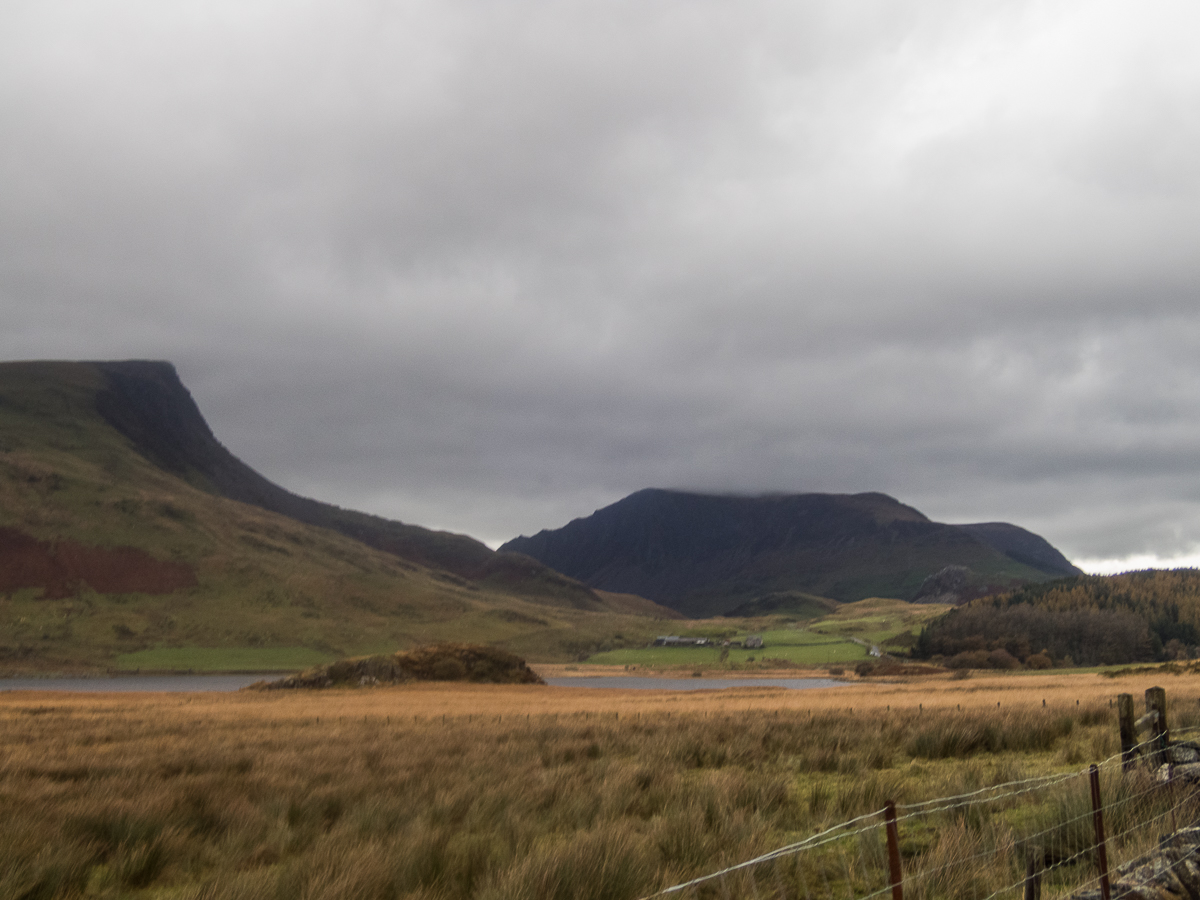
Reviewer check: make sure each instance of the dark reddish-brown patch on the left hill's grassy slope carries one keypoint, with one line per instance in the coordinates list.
(61, 568)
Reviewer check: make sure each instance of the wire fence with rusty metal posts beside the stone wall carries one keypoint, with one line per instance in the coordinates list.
(1041, 837)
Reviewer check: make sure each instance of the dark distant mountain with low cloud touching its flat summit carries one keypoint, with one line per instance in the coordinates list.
(706, 555)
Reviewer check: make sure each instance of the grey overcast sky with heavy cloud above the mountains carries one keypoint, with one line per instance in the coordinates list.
(488, 267)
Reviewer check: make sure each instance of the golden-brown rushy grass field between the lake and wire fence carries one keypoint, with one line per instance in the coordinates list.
(496, 791)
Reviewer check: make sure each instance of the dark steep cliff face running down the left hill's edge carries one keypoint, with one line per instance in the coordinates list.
(148, 404)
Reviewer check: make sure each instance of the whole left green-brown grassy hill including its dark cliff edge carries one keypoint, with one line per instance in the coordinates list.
(130, 537)
